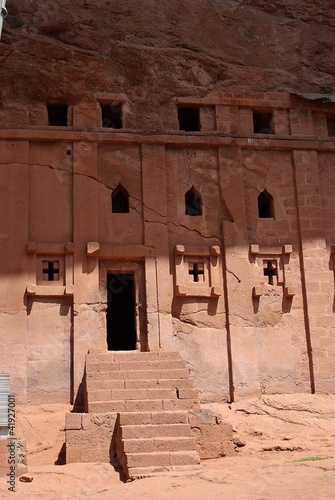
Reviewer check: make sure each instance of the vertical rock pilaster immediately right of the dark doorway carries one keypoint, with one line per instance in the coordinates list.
(157, 270)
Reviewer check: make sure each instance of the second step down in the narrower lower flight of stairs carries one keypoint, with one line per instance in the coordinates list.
(155, 431)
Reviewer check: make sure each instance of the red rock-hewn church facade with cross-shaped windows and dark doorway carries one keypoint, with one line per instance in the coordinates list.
(214, 238)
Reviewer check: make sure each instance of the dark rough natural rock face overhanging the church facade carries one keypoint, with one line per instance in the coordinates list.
(70, 48)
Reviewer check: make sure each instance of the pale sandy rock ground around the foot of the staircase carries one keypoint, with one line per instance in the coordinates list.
(277, 431)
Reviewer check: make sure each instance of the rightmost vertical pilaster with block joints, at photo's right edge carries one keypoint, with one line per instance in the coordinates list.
(317, 278)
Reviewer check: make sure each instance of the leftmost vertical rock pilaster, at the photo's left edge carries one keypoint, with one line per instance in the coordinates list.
(14, 223)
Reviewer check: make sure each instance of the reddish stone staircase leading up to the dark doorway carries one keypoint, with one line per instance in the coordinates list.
(153, 395)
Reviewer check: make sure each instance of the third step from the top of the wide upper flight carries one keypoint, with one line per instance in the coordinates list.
(166, 374)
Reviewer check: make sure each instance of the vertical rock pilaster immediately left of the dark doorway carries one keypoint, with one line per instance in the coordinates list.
(86, 270)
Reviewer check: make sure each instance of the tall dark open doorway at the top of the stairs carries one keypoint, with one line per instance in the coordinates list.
(121, 329)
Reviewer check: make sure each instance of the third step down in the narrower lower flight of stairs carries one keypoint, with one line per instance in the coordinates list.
(149, 445)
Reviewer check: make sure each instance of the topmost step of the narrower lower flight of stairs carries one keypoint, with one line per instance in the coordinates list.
(154, 417)
